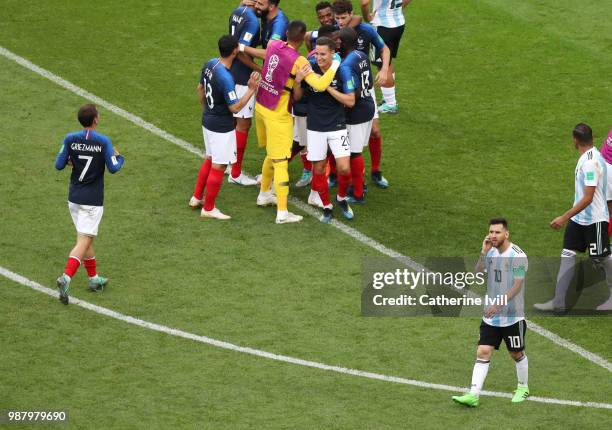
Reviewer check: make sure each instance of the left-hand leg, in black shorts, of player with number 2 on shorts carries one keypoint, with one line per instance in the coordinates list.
(574, 240)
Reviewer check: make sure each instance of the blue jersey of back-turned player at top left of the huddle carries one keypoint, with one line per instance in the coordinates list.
(244, 26)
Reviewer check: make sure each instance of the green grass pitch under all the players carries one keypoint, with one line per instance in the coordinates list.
(489, 92)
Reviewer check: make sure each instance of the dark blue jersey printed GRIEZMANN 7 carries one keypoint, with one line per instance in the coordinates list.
(90, 153)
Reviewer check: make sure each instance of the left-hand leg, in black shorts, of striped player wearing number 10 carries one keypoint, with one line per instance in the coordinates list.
(490, 338)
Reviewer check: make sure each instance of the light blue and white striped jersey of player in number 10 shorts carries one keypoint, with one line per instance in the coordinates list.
(502, 270)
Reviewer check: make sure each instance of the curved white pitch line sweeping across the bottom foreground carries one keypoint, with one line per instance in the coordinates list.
(277, 357)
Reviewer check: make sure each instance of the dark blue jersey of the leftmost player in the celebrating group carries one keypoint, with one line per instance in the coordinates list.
(220, 92)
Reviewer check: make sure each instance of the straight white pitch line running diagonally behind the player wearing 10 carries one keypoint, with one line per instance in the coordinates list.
(360, 237)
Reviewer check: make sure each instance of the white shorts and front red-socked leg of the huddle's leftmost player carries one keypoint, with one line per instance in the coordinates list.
(223, 152)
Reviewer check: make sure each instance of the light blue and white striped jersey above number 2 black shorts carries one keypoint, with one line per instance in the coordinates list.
(591, 171)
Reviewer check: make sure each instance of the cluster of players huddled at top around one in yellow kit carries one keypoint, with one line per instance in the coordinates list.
(321, 107)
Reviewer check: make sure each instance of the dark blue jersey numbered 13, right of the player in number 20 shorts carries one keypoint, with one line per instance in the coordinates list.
(356, 75)
